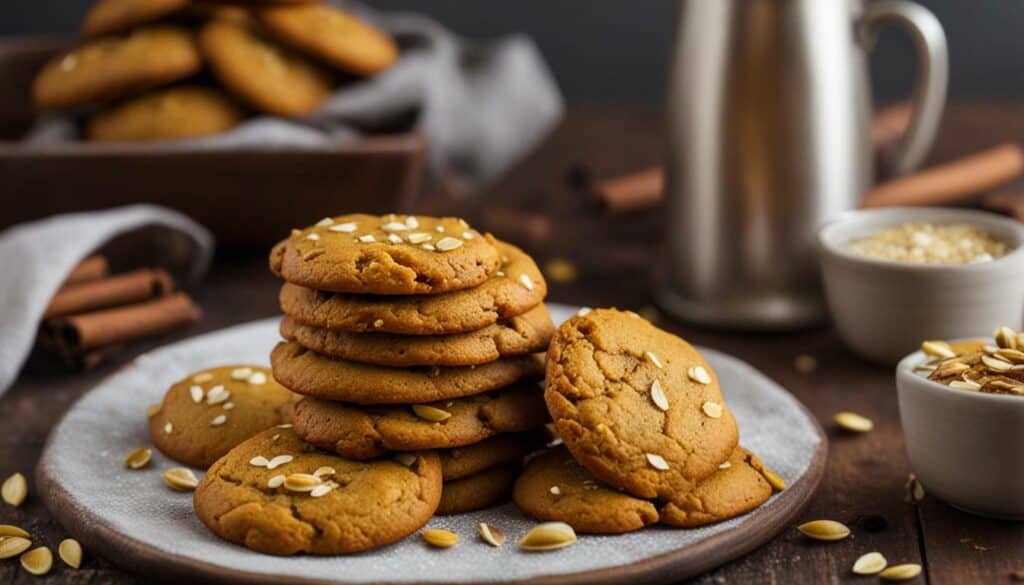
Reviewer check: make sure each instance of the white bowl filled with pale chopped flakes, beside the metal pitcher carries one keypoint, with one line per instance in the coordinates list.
(897, 276)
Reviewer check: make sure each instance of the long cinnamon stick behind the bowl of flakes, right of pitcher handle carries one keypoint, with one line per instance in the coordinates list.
(954, 182)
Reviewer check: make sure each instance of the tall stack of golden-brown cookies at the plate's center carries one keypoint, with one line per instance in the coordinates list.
(408, 333)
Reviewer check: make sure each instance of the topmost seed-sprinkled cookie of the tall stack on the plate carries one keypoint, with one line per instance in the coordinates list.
(387, 255)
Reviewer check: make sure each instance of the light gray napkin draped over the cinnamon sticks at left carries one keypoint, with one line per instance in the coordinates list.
(36, 258)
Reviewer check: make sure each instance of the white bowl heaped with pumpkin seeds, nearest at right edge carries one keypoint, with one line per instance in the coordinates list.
(962, 407)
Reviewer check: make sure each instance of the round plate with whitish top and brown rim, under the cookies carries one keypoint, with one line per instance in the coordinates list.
(134, 520)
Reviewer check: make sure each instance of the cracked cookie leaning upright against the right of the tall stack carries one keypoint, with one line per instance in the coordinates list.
(608, 373)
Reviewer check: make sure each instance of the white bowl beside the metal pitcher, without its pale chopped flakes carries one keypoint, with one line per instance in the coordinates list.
(884, 309)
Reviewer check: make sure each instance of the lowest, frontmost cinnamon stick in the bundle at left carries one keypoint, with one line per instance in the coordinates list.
(114, 326)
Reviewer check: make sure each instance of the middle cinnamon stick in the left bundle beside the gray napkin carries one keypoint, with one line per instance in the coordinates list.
(118, 290)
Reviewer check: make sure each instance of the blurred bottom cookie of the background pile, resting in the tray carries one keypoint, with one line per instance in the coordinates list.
(178, 113)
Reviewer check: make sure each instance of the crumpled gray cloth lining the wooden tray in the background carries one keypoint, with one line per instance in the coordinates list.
(484, 106)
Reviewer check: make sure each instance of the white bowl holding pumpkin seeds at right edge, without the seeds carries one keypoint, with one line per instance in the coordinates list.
(964, 446)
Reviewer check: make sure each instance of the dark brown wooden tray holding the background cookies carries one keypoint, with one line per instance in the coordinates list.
(248, 198)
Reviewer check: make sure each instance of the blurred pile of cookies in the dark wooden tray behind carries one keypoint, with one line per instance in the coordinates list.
(175, 69)
